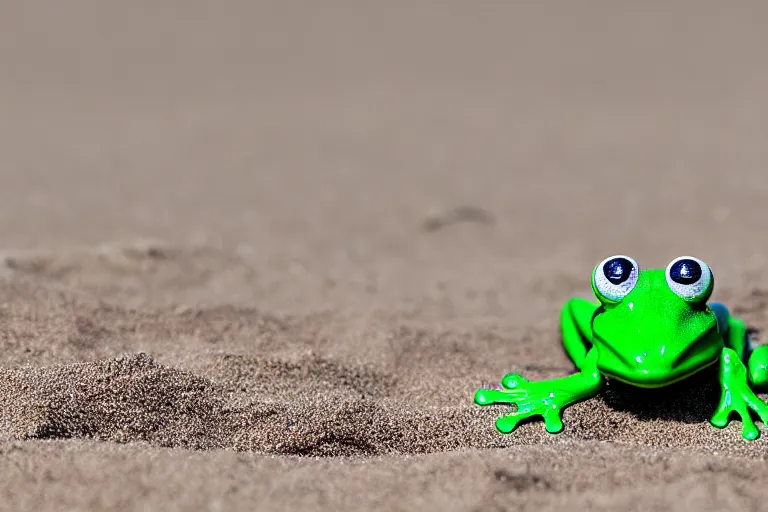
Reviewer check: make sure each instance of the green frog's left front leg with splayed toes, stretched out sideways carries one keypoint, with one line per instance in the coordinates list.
(545, 398)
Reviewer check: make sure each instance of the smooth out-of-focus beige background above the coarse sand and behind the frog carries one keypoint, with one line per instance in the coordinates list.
(391, 154)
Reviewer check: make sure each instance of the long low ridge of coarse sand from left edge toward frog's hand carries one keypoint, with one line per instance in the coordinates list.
(130, 399)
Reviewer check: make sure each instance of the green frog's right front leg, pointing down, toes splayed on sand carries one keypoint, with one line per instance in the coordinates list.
(737, 397)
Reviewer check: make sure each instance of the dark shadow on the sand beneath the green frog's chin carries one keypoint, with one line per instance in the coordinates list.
(693, 400)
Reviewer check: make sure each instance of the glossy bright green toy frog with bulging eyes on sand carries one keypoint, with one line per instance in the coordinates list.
(649, 328)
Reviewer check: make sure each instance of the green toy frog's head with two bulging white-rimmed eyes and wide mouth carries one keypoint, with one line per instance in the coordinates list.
(654, 326)
